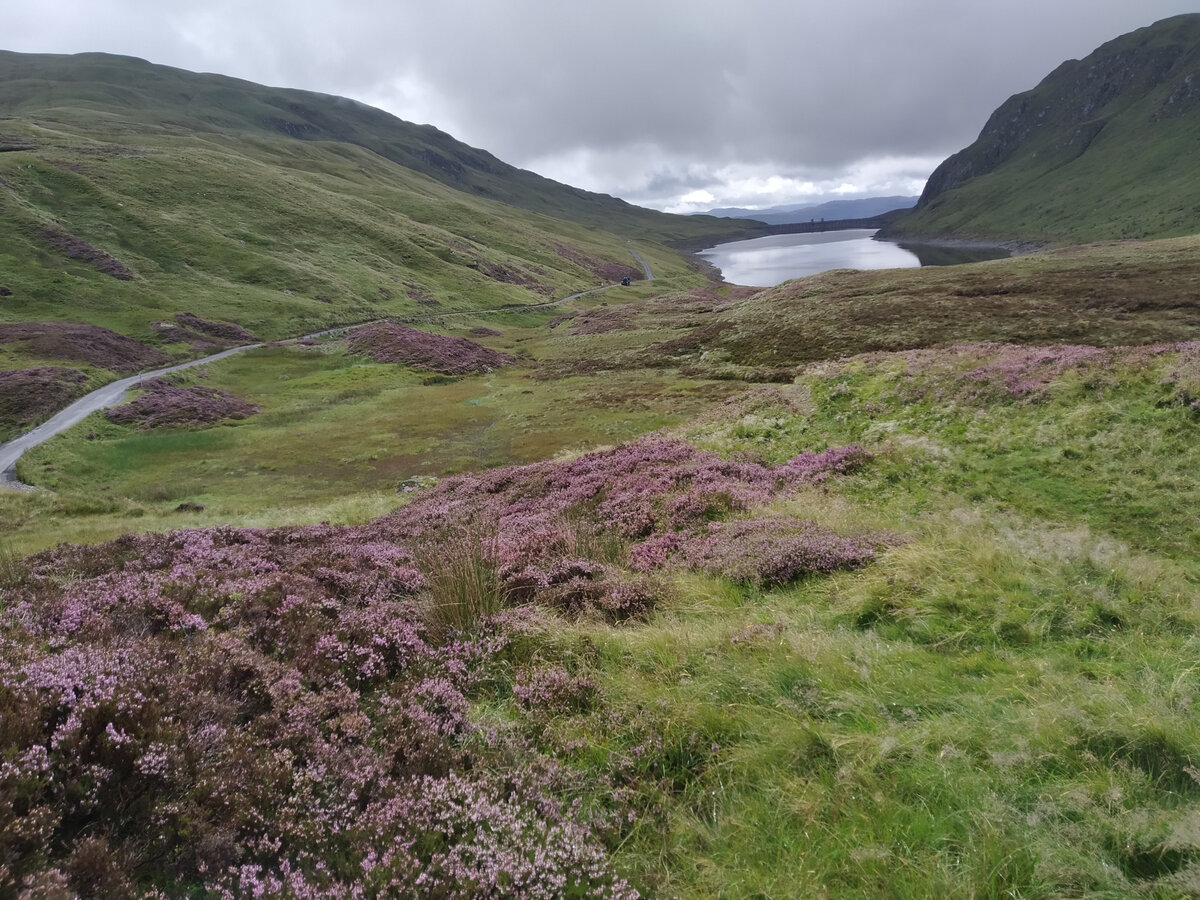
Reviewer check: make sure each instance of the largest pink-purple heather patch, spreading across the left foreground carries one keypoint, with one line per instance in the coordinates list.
(241, 712)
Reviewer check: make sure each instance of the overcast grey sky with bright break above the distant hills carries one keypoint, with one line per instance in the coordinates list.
(679, 105)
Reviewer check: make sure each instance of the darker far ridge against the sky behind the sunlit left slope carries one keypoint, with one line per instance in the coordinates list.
(105, 91)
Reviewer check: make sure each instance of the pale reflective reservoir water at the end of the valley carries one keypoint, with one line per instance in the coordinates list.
(766, 262)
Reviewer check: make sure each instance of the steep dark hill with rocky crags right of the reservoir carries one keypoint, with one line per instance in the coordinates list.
(1103, 148)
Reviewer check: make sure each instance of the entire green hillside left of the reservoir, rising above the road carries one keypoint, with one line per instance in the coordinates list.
(133, 195)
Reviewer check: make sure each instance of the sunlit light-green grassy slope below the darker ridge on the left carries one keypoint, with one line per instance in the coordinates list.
(278, 237)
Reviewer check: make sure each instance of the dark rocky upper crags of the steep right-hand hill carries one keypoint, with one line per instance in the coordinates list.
(1129, 91)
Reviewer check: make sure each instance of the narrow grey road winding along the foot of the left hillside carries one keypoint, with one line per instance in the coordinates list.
(115, 392)
